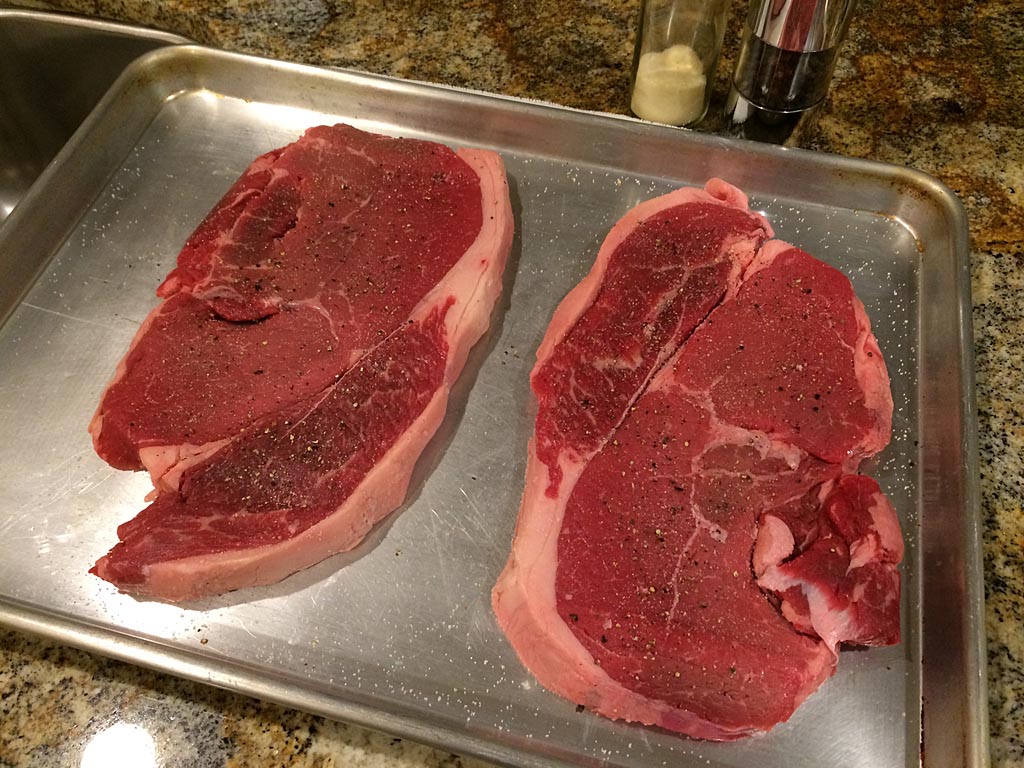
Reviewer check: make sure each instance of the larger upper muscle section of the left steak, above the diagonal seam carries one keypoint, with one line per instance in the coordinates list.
(318, 252)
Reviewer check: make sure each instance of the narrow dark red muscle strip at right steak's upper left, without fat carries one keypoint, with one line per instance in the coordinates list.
(666, 277)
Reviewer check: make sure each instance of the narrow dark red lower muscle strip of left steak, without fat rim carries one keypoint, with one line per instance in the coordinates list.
(289, 472)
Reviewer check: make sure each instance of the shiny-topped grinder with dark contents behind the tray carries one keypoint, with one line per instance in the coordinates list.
(785, 65)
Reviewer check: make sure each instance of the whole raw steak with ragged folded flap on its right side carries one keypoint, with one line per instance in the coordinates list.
(692, 548)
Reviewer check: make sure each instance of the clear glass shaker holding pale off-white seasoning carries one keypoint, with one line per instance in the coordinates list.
(677, 48)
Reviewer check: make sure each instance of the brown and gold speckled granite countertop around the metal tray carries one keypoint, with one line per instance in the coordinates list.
(934, 87)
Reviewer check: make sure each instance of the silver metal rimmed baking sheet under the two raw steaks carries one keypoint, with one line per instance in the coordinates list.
(400, 635)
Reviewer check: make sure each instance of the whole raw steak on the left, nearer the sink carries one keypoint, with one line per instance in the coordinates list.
(366, 268)
